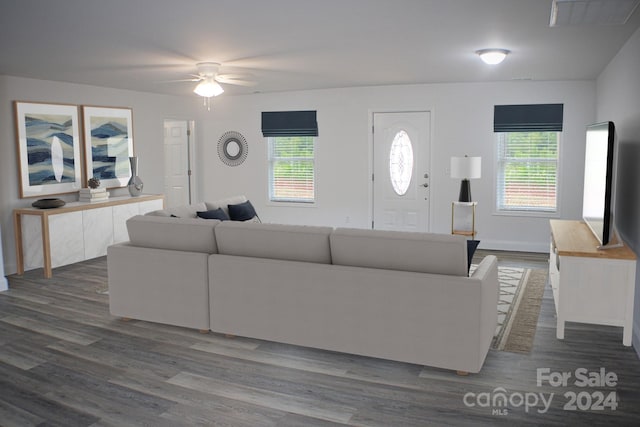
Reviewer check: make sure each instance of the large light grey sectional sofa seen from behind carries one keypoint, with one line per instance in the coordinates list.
(393, 295)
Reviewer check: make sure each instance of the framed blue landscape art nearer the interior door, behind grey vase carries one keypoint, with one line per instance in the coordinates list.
(108, 144)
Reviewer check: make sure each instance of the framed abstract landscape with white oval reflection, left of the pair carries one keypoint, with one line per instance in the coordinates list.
(48, 141)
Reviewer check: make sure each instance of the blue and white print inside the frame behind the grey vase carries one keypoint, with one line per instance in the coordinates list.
(109, 147)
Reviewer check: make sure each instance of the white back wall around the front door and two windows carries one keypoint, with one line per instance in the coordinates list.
(462, 123)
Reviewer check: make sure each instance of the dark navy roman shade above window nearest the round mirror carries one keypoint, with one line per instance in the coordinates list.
(289, 123)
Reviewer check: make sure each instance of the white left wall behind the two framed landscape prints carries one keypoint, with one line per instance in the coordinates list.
(149, 111)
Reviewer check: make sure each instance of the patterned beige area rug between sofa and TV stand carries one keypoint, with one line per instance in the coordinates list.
(519, 301)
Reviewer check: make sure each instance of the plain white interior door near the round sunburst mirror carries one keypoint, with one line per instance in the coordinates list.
(177, 170)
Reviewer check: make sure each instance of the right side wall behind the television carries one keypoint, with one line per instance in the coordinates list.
(618, 94)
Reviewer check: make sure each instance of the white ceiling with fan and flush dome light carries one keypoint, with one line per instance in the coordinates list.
(297, 44)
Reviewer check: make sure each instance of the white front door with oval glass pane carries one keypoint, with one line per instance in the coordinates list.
(401, 147)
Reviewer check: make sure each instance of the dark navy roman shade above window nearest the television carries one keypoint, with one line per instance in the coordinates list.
(528, 118)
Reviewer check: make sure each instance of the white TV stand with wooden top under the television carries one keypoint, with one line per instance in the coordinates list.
(590, 285)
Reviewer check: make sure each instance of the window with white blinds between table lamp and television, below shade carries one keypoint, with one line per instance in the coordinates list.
(527, 171)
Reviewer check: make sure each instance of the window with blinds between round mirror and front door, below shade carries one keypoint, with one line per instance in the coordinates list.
(292, 169)
